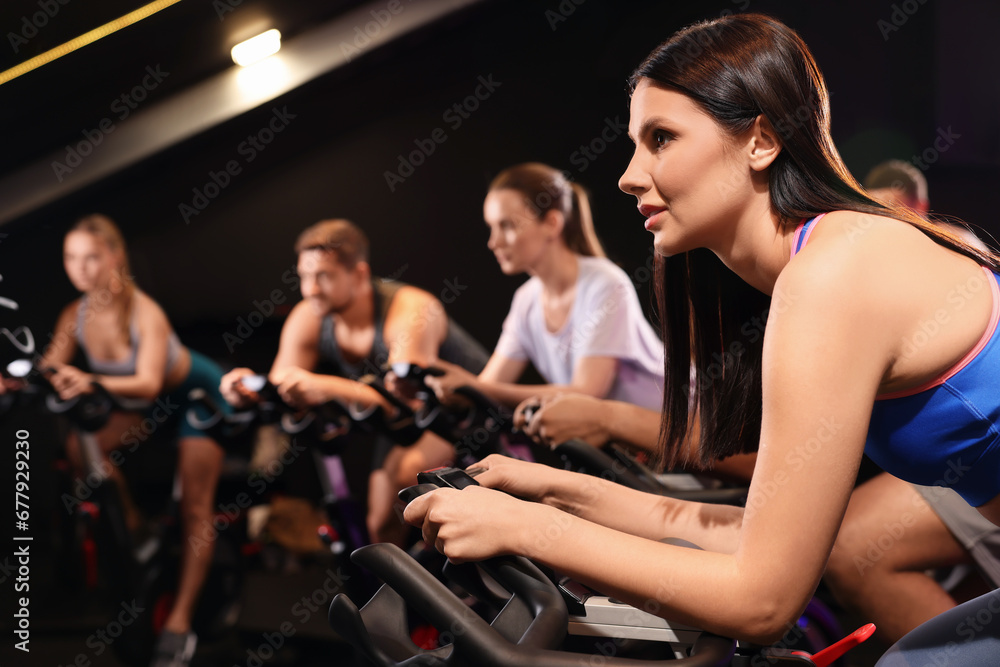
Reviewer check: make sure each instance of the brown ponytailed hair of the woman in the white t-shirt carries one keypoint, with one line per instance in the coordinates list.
(545, 189)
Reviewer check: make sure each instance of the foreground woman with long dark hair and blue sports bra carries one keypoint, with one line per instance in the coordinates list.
(801, 319)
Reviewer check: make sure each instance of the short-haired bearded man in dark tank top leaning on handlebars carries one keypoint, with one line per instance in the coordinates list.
(353, 324)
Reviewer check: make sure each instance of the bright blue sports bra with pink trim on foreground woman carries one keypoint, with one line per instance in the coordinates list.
(944, 432)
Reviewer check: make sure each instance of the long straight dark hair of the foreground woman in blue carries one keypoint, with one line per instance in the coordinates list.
(738, 68)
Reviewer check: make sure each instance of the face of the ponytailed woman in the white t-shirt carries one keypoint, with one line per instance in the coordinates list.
(518, 237)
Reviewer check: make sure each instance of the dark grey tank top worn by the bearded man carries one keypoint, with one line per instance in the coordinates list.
(458, 347)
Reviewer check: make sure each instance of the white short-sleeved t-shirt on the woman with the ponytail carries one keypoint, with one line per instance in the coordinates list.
(605, 320)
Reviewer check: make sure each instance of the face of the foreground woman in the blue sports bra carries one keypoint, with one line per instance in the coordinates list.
(685, 171)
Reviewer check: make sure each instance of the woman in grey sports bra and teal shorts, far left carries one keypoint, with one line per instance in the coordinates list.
(133, 352)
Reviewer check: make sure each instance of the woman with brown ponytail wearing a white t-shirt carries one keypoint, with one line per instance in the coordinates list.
(577, 319)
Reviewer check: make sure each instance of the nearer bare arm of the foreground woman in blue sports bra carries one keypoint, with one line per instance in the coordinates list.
(821, 373)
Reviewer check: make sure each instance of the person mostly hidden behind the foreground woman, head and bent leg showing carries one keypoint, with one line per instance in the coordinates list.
(895, 535)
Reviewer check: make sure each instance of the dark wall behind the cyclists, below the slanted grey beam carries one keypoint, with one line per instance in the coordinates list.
(557, 83)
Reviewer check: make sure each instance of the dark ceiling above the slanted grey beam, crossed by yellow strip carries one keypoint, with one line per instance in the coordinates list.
(43, 110)
